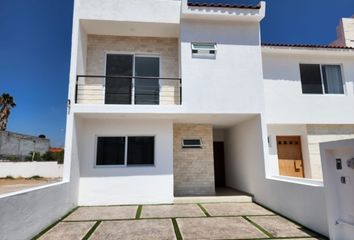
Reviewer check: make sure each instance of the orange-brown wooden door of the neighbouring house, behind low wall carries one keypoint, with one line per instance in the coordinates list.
(290, 156)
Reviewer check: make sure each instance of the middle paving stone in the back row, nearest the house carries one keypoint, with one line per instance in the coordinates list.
(171, 211)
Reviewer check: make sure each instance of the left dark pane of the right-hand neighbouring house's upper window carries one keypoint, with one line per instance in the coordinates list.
(311, 78)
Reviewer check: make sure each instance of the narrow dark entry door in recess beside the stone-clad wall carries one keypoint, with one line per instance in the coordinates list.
(219, 164)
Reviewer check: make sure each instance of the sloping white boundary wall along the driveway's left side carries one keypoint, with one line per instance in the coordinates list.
(25, 213)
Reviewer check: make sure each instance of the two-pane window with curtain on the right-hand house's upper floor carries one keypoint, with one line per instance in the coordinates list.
(321, 79)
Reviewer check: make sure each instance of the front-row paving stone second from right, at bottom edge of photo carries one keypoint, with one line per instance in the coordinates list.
(218, 228)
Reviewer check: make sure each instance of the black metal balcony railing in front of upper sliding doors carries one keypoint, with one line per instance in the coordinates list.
(92, 89)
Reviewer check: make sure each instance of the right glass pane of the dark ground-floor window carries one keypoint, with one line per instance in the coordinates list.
(141, 150)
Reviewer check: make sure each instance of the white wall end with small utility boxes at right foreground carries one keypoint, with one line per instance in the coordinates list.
(339, 196)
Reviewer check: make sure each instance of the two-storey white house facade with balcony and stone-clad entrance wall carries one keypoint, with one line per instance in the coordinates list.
(152, 87)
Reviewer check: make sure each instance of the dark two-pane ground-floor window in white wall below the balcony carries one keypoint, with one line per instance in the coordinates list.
(125, 150)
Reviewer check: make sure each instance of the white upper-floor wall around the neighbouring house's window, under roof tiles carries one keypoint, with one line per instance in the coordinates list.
(285, 103)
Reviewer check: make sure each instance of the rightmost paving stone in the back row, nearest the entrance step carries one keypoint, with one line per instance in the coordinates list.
(235, 209)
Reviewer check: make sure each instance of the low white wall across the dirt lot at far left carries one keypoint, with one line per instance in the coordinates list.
(29, 169)
